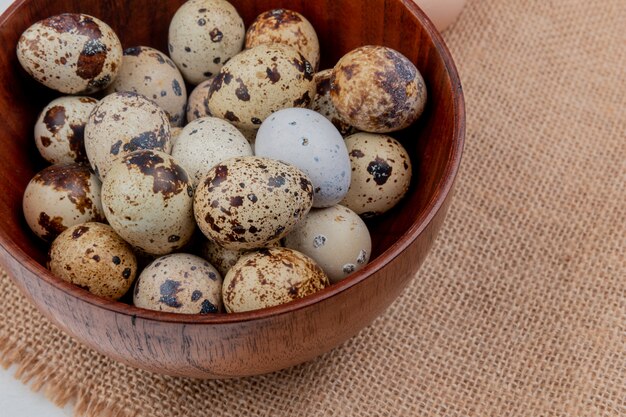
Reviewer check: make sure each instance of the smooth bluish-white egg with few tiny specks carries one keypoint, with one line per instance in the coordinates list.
(310, 142)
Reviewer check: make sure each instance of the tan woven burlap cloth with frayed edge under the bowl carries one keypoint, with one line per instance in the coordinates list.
(520, 309)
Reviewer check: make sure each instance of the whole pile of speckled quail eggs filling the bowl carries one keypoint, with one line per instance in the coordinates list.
(276, 167)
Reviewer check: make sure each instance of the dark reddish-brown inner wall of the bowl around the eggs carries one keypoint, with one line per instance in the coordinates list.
(342, 25)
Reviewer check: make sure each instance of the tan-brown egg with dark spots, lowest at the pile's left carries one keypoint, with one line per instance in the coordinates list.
(93, 257)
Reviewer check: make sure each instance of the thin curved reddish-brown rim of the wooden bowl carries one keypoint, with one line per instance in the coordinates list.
(444, 187)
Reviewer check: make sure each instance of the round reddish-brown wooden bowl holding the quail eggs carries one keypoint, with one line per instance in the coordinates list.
(221, 346)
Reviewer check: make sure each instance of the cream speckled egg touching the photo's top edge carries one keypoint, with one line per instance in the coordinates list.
(203, 35)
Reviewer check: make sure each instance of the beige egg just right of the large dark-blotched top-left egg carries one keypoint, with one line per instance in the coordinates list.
(153, 74)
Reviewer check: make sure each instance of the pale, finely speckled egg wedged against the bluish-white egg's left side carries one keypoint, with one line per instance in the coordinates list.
(206, 142)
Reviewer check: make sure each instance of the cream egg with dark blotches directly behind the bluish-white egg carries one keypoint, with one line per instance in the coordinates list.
(260, 81)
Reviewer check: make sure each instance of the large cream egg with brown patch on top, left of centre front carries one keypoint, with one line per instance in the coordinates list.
(148, 199)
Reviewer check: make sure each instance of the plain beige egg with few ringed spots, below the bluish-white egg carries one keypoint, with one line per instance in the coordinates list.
(336, 238)
